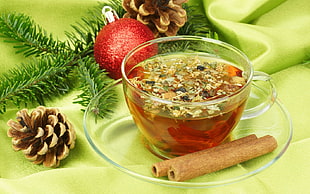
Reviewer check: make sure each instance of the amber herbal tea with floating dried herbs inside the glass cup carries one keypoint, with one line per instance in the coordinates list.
(172, 112)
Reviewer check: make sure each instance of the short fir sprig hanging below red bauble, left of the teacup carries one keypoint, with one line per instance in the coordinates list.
(93, 83)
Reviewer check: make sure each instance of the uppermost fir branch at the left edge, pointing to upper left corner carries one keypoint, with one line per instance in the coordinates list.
(29, 38)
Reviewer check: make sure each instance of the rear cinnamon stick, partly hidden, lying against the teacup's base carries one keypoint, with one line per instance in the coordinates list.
(160, 169)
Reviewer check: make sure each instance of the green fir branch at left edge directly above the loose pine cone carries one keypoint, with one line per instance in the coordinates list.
(36, 81)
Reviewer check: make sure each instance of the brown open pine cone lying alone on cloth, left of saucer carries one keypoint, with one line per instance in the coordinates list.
(44, 136)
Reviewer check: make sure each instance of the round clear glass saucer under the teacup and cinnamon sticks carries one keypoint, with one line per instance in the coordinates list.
(117, 140)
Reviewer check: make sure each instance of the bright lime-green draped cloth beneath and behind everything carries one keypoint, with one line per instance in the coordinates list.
(275, 34)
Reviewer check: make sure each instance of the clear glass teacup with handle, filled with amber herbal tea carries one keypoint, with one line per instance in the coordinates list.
(187, 93)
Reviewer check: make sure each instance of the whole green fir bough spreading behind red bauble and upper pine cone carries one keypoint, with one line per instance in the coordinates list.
(56, 63)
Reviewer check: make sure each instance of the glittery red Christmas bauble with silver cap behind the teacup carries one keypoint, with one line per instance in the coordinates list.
(116, 39)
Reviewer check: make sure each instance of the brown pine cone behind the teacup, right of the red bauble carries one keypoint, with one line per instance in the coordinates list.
(164, 17)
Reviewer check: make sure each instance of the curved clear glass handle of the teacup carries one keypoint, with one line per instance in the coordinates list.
(261, 97)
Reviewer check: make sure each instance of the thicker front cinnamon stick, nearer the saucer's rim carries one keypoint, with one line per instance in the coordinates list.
(202, 164)
